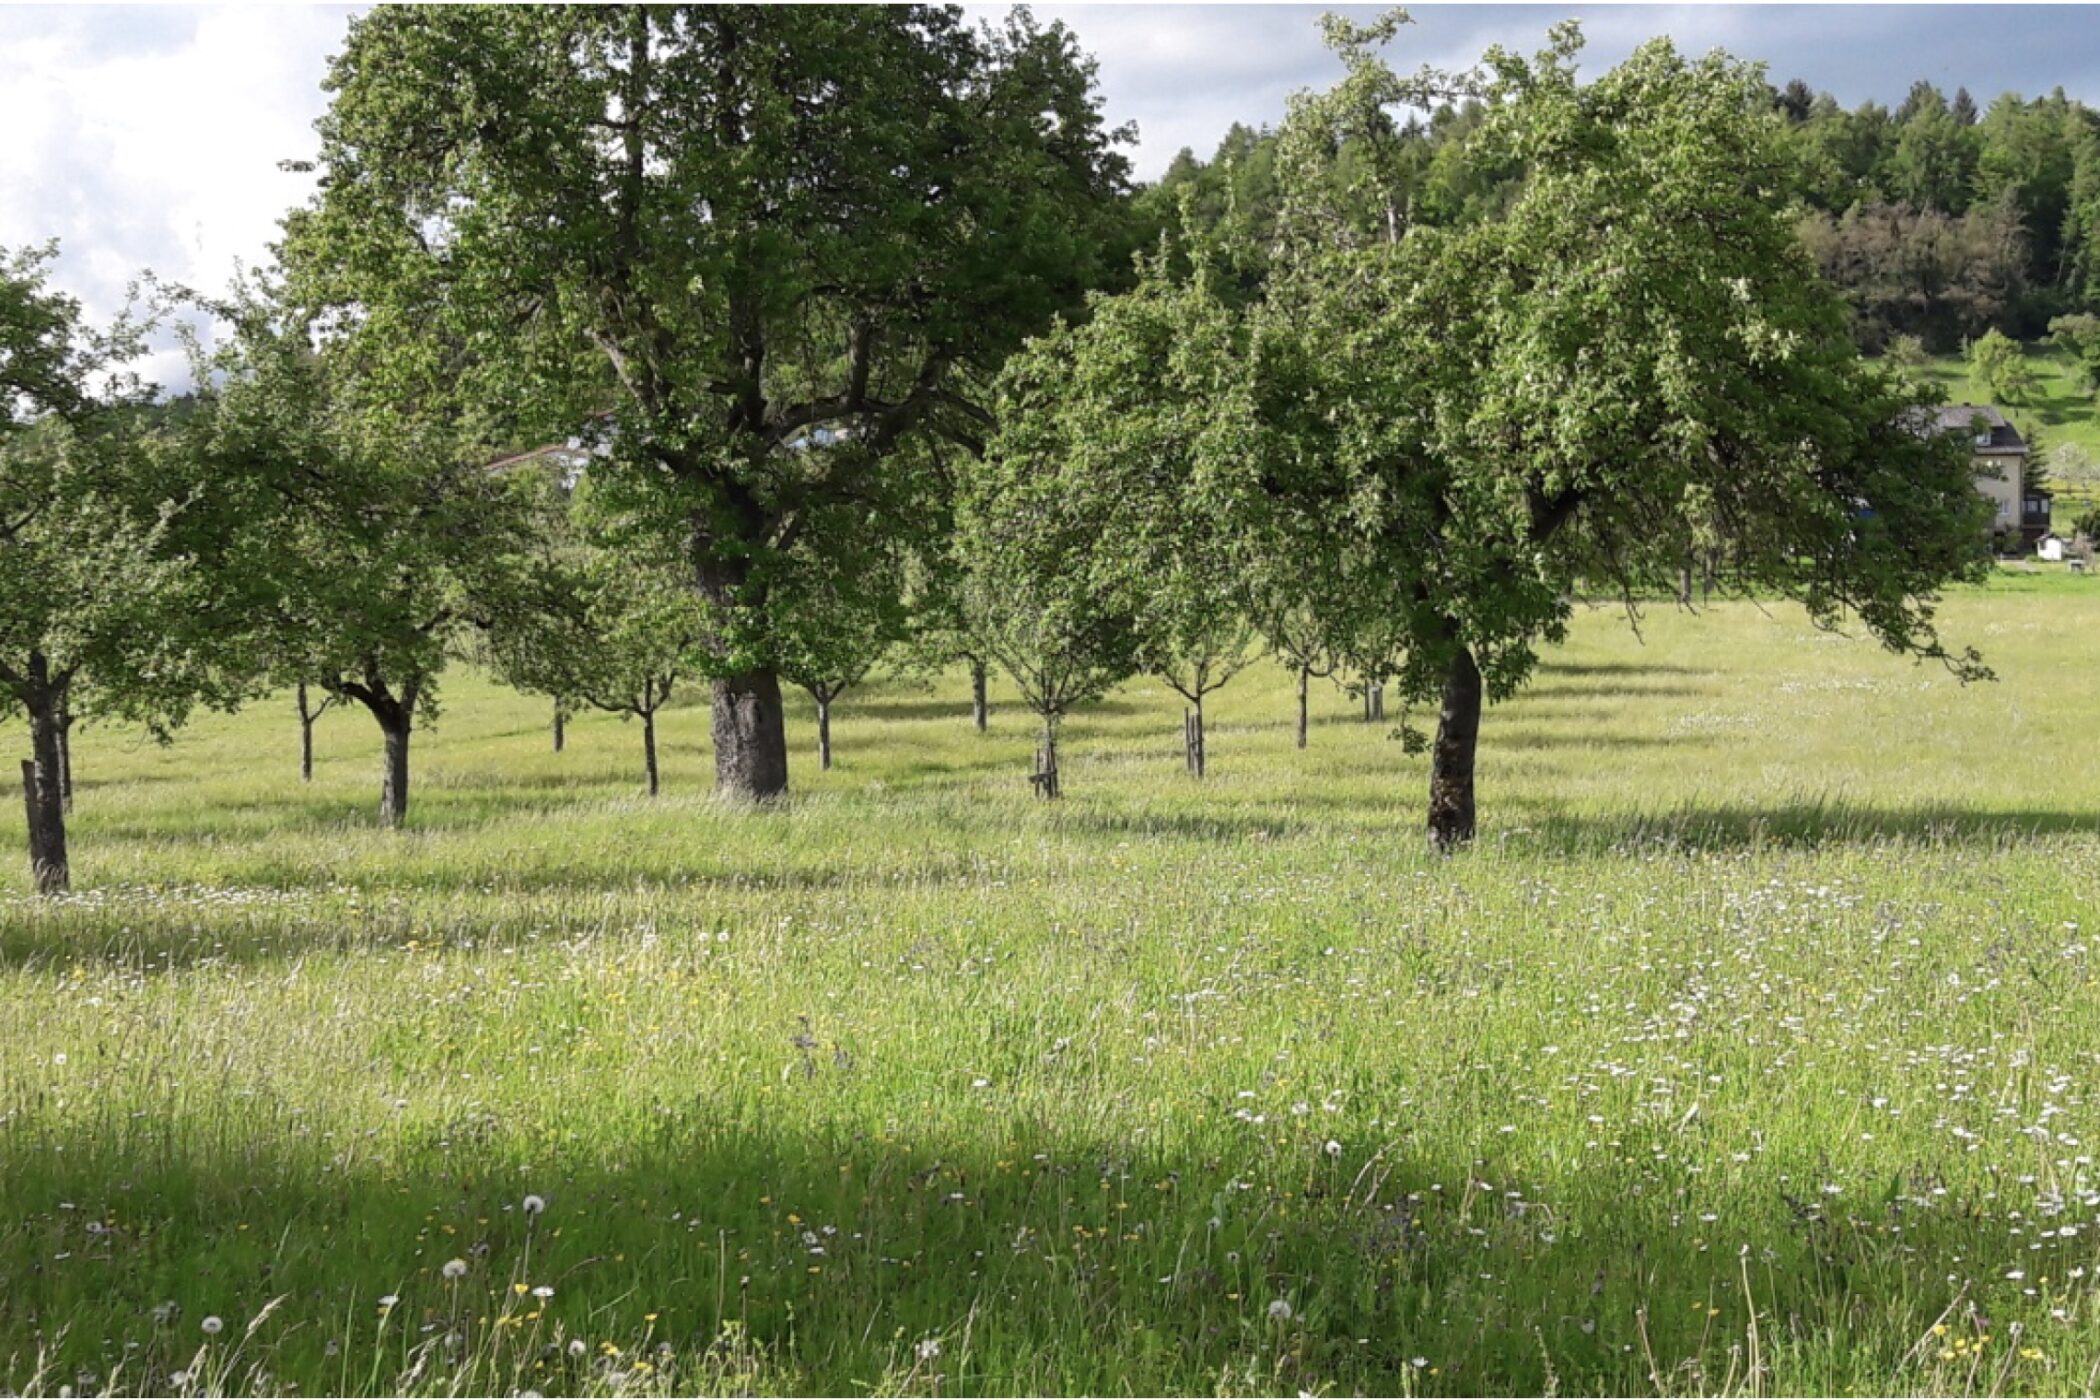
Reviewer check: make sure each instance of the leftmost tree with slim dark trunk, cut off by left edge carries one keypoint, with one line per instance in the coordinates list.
(100, 582)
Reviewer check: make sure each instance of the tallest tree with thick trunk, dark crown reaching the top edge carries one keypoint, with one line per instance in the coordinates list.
(740, 232)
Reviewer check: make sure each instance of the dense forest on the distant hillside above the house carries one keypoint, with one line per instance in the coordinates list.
(1939, 219)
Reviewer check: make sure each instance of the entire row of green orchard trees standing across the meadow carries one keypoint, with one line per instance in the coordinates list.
(839, 316)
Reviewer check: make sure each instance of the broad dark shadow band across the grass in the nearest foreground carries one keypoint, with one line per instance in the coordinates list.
(1030, 1256)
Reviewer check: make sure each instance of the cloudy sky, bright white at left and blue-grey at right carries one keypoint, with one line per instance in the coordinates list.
(150, 137)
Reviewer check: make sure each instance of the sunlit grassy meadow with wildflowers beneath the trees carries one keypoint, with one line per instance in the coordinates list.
(1750, 1051)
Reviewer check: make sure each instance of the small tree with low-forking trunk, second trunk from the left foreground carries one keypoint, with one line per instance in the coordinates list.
(375, 543)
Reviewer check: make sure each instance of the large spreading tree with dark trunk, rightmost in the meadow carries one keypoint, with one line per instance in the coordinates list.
(1635, 358)
